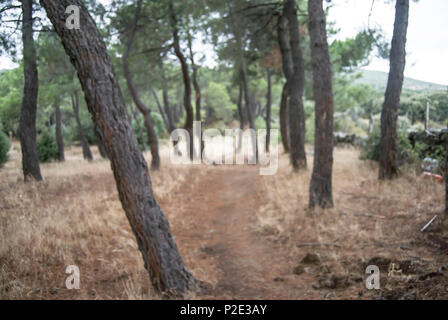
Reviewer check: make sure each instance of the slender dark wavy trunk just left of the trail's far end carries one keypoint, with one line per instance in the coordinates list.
(186, 77)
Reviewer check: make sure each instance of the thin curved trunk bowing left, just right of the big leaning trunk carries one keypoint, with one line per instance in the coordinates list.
(146, 112)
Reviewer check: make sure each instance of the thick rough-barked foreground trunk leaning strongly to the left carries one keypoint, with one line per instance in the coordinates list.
(89, 56)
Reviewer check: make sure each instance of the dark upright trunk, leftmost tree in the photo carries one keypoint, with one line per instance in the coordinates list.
(27, 126)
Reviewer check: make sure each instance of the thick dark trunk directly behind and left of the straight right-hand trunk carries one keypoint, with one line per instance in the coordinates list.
(293, 68)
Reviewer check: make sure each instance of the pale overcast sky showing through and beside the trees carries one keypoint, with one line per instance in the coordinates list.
(427, 46)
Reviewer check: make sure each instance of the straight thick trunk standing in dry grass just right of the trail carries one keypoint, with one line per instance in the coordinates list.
(320, 186)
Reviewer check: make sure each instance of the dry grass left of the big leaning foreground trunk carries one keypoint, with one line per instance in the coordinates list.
(73, 217)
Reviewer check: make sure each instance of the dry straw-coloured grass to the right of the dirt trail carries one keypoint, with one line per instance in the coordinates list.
(370, 219)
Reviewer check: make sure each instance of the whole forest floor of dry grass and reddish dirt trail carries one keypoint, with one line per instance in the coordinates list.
(247, 236)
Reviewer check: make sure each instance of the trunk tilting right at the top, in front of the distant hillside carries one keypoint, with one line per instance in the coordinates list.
(389, 114)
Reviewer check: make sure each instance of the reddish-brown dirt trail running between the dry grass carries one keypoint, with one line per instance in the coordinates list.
(222, 209)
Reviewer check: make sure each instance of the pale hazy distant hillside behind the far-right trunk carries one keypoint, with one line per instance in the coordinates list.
(378, 80)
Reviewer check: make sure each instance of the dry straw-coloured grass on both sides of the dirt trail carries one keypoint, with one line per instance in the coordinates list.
(75, 217)
